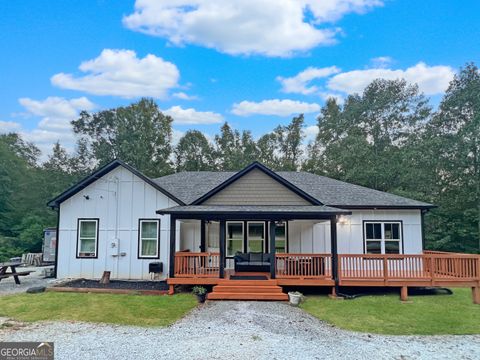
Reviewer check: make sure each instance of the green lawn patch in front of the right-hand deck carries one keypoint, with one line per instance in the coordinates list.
(423, 315)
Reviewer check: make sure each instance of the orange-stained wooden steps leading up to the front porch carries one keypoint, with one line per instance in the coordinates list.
(247, 290)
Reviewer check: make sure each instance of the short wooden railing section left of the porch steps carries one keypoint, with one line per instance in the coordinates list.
(204, 264)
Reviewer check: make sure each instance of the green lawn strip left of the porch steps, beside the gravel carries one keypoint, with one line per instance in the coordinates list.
(101, 308)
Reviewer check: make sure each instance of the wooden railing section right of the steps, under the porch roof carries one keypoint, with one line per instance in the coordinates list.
(303, 265)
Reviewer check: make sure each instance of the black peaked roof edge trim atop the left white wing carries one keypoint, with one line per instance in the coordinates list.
(82, 184)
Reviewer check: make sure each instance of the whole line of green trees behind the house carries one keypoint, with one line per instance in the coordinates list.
(388, 138)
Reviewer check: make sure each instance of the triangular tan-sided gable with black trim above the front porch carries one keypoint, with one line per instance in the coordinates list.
(256, 185)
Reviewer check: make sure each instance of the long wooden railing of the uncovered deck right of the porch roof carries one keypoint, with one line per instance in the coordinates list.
(435, 266)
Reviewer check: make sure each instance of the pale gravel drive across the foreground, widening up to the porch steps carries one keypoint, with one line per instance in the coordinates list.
(239, 330)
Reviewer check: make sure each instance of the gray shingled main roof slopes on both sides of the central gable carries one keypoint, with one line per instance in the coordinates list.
(189, 186)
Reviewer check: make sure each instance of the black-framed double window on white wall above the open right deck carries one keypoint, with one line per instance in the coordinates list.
(383, 237)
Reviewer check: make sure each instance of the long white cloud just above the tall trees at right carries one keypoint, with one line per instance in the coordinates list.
(431, 80)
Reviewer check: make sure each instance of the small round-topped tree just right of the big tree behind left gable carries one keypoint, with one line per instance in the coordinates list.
(194, 153)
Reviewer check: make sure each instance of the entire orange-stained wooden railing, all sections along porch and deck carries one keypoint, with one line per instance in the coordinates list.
(432, 267)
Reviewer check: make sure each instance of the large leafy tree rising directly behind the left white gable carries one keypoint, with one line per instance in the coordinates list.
(138, 134)
